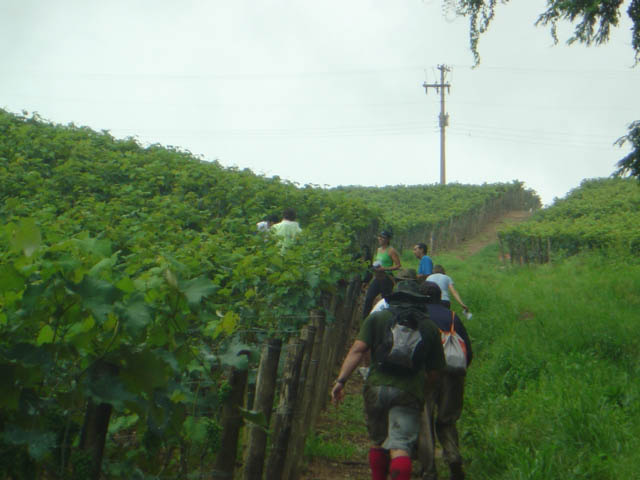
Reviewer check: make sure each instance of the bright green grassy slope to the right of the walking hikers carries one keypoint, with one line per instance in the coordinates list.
(553, 391)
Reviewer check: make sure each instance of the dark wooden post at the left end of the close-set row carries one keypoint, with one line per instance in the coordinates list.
(231, 423)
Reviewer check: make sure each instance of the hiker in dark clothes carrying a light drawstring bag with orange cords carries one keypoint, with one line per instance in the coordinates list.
(444, 397)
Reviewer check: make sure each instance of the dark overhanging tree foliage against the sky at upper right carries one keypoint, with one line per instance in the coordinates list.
(593, 20)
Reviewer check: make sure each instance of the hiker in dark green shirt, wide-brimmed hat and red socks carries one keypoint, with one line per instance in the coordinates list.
(406, 352)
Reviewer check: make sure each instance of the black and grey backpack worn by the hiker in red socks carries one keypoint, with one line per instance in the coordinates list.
(402, 349)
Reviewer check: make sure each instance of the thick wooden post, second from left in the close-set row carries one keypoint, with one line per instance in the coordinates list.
(265, 393)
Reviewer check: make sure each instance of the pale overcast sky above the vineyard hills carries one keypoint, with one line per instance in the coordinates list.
(328, 92)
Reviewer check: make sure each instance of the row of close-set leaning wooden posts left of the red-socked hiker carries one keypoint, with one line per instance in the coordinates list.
(311, 358)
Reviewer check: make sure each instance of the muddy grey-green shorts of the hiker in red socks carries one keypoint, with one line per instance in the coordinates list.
(393, 417)
